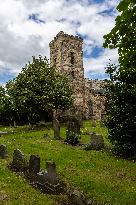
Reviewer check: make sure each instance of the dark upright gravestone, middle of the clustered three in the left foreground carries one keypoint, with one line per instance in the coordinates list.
(34, 164)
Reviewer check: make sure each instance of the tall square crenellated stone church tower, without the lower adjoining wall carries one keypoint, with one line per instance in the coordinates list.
(66, 53)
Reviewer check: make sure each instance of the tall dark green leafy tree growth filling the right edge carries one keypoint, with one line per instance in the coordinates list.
(121, 89)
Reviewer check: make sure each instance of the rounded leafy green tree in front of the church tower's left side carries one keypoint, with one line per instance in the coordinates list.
(39, 89)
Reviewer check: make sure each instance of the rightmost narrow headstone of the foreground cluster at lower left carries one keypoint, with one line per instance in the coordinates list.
(51, 173)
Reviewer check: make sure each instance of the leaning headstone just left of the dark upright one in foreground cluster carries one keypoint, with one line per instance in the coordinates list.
(19, 163)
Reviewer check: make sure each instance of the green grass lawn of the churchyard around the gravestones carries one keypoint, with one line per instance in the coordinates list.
(102, 177)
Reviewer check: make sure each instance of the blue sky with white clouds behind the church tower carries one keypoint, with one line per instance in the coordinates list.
(27, 27)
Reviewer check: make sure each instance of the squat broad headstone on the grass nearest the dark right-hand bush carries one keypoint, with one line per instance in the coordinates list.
(97, 142)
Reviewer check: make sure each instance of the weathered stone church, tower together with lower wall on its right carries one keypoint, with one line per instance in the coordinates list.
(66, 54)
